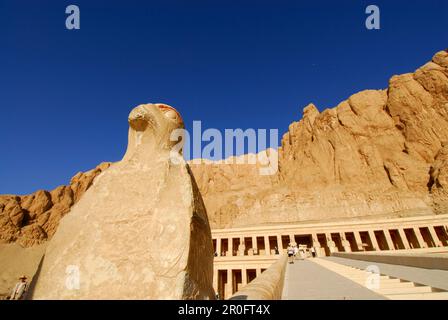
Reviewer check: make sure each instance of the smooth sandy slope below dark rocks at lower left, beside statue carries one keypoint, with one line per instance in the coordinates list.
(16, 261)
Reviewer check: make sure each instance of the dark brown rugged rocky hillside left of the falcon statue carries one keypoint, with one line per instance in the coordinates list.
(31, 219)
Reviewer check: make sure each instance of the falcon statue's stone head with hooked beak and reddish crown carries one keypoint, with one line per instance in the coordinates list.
(150, 128)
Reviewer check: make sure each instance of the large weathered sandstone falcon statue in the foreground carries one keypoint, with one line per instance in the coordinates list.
(140, 231)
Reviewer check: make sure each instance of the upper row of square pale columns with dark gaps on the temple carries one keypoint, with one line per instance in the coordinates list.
(428, 236)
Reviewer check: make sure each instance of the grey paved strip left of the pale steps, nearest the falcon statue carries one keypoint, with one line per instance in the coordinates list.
(306, 280)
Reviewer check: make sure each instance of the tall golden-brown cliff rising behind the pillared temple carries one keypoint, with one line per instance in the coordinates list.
(380, 152)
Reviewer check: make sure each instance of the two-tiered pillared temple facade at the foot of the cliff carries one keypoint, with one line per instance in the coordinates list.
(241, 254)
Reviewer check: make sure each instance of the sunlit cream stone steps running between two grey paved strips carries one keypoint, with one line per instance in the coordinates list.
(389, 287)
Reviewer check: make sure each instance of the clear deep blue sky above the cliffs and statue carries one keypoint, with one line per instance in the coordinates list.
(65, 95)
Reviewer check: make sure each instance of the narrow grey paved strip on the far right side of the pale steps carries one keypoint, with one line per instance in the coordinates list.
(431, 277)
